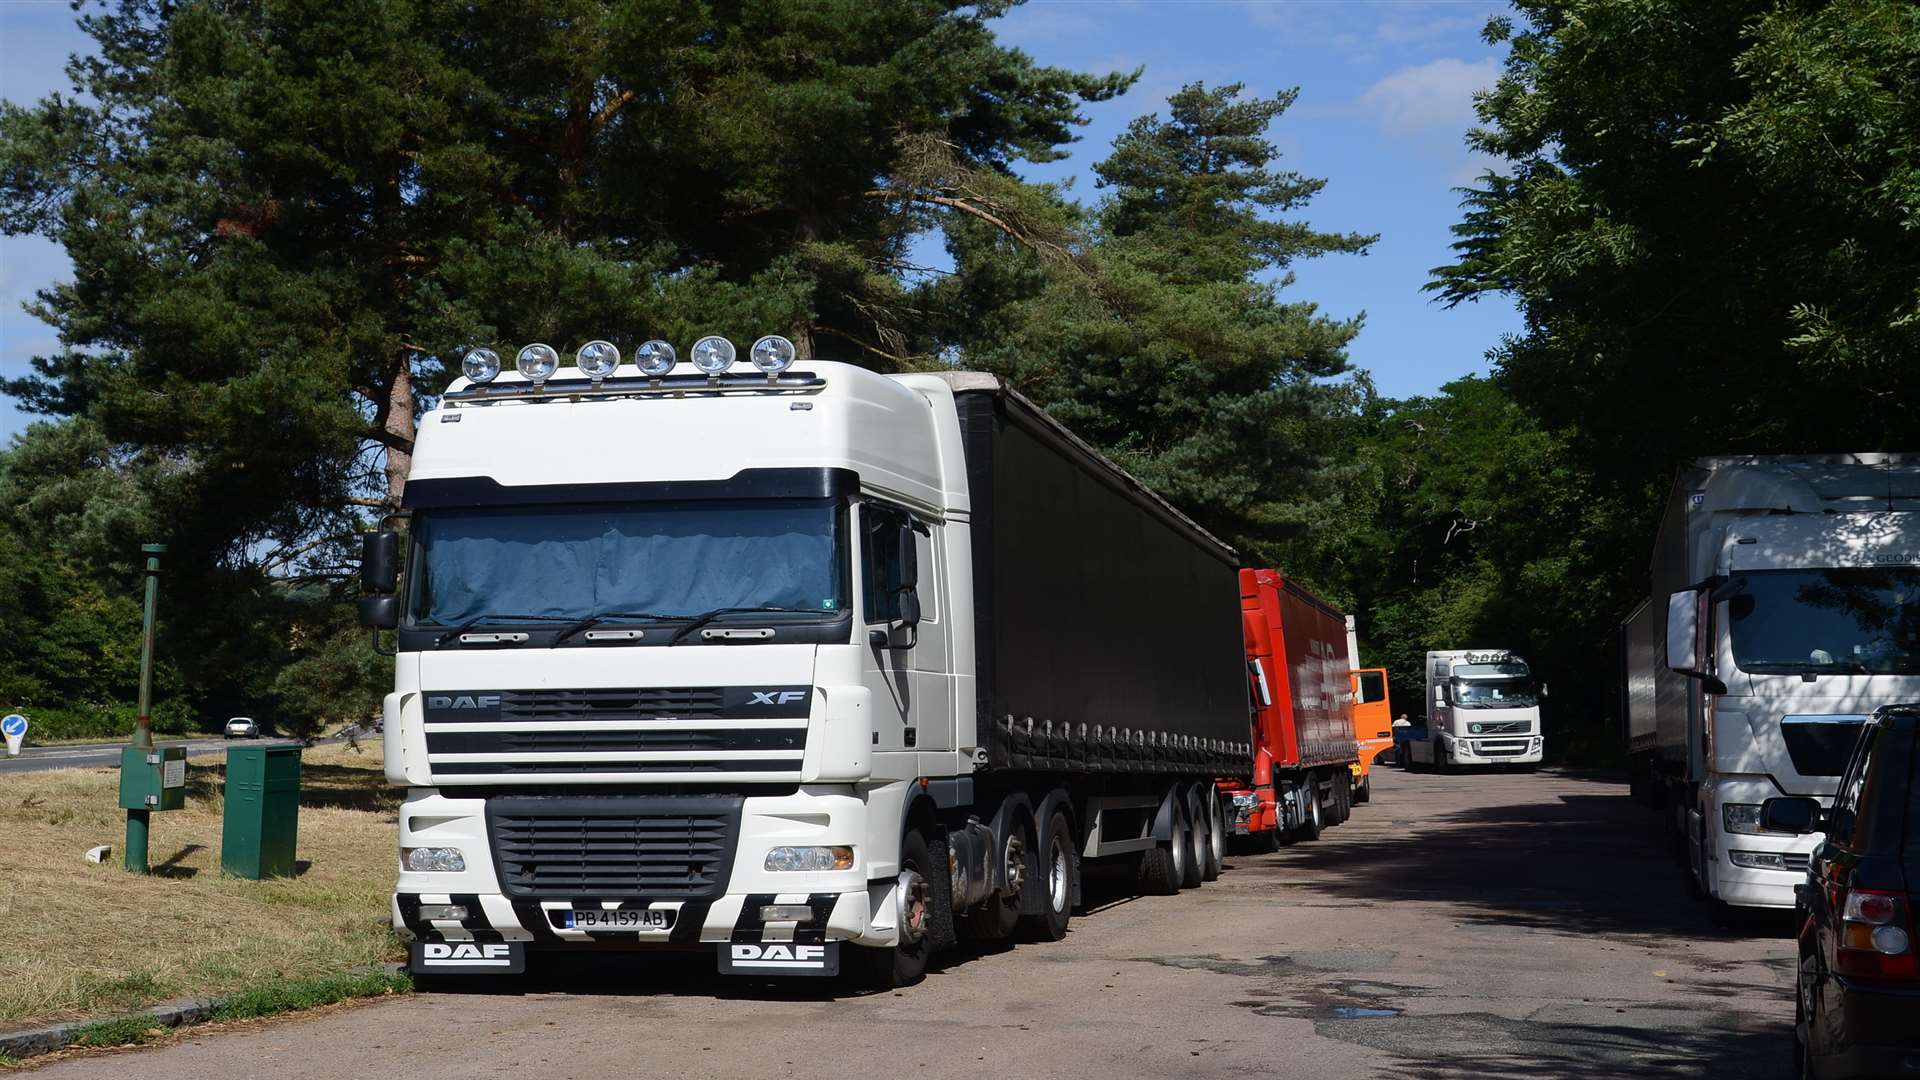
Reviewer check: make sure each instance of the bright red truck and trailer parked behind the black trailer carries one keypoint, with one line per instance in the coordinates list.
(1303, 714)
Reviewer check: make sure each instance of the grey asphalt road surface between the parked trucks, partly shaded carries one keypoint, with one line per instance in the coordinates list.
(1487, 927)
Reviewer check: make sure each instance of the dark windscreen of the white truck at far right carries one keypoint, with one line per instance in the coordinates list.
(1829, 622)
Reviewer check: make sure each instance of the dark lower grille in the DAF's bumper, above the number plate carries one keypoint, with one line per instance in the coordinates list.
(613, 848)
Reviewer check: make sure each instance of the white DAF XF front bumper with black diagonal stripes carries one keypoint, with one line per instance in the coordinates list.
(846, 906)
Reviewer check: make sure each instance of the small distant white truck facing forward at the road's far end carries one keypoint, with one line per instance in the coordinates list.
(1483, 708)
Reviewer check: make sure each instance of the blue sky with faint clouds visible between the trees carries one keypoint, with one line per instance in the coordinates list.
(1385, 97)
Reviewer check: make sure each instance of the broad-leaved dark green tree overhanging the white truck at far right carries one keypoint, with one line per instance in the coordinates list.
(1710, 226)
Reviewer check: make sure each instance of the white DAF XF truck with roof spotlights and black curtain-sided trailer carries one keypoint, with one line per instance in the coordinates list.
(796, 668)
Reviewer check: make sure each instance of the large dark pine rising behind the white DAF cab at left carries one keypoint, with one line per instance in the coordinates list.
(289, 220)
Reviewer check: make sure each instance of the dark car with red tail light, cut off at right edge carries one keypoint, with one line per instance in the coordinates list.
(1860, 985)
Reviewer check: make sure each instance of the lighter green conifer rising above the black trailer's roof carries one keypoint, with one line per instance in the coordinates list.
(1166, 337)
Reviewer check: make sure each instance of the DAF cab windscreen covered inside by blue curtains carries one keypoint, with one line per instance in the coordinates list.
(571, 562)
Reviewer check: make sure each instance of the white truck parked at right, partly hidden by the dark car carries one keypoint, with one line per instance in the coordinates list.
(1785, 608)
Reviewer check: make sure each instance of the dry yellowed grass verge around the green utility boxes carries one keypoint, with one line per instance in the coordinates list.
(91, 941)
